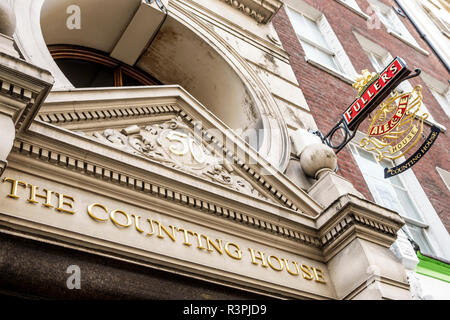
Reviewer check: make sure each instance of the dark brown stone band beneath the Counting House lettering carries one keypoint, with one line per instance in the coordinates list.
(35, 270)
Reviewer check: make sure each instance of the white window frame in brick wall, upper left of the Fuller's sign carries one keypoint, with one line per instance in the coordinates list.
(346, 70)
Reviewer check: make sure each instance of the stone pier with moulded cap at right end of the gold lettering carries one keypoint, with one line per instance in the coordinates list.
(356, 235)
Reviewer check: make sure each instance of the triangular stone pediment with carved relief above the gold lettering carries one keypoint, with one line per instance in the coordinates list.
(166, 125)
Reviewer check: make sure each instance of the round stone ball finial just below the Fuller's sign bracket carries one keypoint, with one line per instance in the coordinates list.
(317, 159)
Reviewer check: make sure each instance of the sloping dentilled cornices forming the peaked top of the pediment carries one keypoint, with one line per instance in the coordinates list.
(103, 106)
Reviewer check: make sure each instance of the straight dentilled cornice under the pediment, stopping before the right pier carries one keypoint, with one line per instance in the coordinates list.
(82, 169)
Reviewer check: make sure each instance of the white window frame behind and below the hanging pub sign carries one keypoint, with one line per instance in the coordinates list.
(436, 233)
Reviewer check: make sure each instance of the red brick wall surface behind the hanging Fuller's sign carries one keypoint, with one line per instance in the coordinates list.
(328, 96)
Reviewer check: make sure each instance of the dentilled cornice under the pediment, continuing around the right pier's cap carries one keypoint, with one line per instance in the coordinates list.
(349, 217)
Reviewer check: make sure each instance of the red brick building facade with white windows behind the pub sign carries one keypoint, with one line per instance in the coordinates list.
(357, 35)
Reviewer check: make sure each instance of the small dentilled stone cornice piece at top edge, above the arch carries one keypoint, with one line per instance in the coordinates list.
(260, 10)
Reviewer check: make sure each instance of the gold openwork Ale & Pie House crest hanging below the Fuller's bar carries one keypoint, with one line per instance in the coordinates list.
(397, 126)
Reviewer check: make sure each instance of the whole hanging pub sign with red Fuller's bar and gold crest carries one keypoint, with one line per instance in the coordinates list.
(397, 124)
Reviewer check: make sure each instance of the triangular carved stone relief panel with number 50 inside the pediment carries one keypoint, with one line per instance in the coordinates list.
(173, 144)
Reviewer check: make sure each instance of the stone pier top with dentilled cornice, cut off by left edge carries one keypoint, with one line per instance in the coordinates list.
(23, 87)
